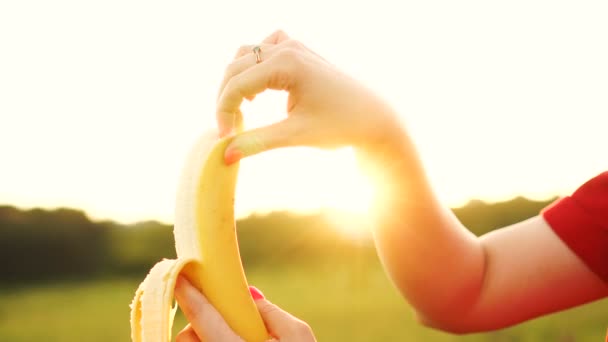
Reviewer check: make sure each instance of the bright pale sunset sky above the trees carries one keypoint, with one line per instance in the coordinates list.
(101, 101)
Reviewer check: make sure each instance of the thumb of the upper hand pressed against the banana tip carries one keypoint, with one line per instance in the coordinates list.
(288, 132)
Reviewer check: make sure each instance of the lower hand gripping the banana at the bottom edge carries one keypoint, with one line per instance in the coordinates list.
(206, 324)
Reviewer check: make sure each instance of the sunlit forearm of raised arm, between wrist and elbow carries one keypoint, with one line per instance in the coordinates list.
(435, 262)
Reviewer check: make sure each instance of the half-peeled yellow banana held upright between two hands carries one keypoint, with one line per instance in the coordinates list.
(207, 252)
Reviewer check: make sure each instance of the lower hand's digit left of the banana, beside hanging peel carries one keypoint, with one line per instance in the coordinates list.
(207, 323)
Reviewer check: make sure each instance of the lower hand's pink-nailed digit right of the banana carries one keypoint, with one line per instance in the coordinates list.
(282, 324)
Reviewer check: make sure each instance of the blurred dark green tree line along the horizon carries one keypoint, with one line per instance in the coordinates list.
(46, 245)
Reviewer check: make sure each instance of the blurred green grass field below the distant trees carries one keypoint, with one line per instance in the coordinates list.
(341, 304)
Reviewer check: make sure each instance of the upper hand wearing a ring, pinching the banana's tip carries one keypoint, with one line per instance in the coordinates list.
(325, 108)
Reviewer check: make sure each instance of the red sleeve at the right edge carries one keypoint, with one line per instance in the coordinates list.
(581, 221)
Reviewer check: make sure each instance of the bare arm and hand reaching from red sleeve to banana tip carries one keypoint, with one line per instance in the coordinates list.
(455, 281)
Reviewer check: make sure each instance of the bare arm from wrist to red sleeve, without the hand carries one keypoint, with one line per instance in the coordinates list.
(456, 281)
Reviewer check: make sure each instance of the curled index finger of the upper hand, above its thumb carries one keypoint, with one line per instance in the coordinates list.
(277, 74)
